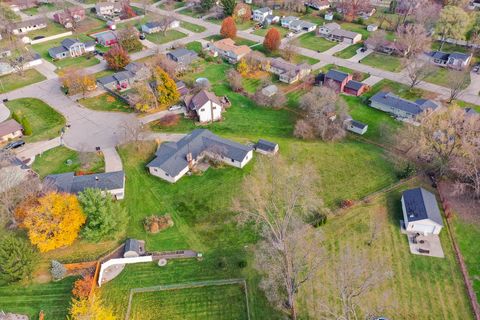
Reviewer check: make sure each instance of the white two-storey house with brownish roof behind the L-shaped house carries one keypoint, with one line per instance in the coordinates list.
(205, 106)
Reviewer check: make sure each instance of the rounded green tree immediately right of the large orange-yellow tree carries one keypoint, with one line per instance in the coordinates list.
(105, 217)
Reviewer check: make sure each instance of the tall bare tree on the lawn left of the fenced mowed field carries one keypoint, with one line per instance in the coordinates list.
(275, 196)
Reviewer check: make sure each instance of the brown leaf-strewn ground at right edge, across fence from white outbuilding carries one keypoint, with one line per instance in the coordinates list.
(465, 207)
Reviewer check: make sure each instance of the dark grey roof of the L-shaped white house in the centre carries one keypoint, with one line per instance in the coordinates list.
(171, 157)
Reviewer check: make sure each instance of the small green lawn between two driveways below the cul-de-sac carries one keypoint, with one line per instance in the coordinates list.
(55, 160)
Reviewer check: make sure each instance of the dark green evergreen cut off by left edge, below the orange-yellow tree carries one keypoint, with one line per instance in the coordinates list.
(17, 258)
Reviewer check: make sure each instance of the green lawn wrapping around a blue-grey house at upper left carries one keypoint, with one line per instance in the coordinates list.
(78, 62)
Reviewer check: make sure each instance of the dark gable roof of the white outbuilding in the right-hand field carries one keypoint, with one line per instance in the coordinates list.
(421, 204)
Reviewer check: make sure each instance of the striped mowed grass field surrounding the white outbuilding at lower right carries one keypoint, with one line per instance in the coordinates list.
(420, 288)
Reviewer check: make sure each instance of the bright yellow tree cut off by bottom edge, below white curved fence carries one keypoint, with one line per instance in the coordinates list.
(90, 308)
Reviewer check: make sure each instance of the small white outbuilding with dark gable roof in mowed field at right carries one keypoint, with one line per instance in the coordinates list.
(420, 212)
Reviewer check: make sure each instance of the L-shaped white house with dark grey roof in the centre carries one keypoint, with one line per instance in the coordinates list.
(174, 159)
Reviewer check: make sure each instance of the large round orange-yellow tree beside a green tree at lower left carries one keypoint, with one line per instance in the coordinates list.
(54, 222)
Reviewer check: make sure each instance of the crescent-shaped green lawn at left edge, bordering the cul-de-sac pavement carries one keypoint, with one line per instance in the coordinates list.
(46, 123)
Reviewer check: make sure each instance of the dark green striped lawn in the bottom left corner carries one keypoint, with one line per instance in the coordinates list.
(53, 298)
